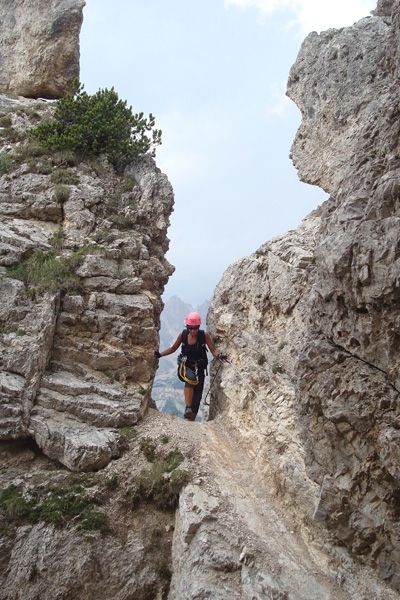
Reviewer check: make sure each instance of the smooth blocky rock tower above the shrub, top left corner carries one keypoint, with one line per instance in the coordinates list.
(39, 53)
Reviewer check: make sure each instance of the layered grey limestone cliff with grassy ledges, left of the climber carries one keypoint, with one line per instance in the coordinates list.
(77, 366)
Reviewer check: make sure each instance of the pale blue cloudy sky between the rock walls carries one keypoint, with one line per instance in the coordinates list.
(214, 73)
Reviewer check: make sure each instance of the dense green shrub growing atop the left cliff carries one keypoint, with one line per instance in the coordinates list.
(101, 123)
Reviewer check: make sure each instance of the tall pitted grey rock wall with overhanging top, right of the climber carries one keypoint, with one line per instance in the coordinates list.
(311, 320)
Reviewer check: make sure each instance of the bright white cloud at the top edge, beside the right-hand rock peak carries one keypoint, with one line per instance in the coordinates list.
(312, 15)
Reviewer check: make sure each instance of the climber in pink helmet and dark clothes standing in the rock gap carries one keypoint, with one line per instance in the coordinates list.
(192, 361)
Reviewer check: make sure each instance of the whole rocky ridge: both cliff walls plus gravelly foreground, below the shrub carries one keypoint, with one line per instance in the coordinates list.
(293, 486)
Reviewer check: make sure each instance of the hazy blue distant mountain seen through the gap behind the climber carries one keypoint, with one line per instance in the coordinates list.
(167, 389)
